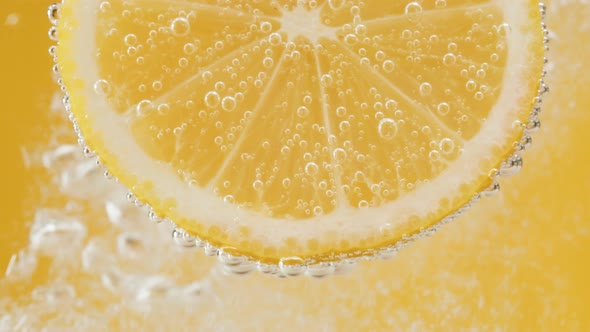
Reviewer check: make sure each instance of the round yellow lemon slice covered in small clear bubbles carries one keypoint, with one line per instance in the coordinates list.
(303, 131)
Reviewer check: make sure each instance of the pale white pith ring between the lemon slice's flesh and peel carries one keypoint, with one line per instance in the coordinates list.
(208, 209)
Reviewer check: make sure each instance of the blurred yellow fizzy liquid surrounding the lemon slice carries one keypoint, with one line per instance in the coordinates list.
(515, 262)
